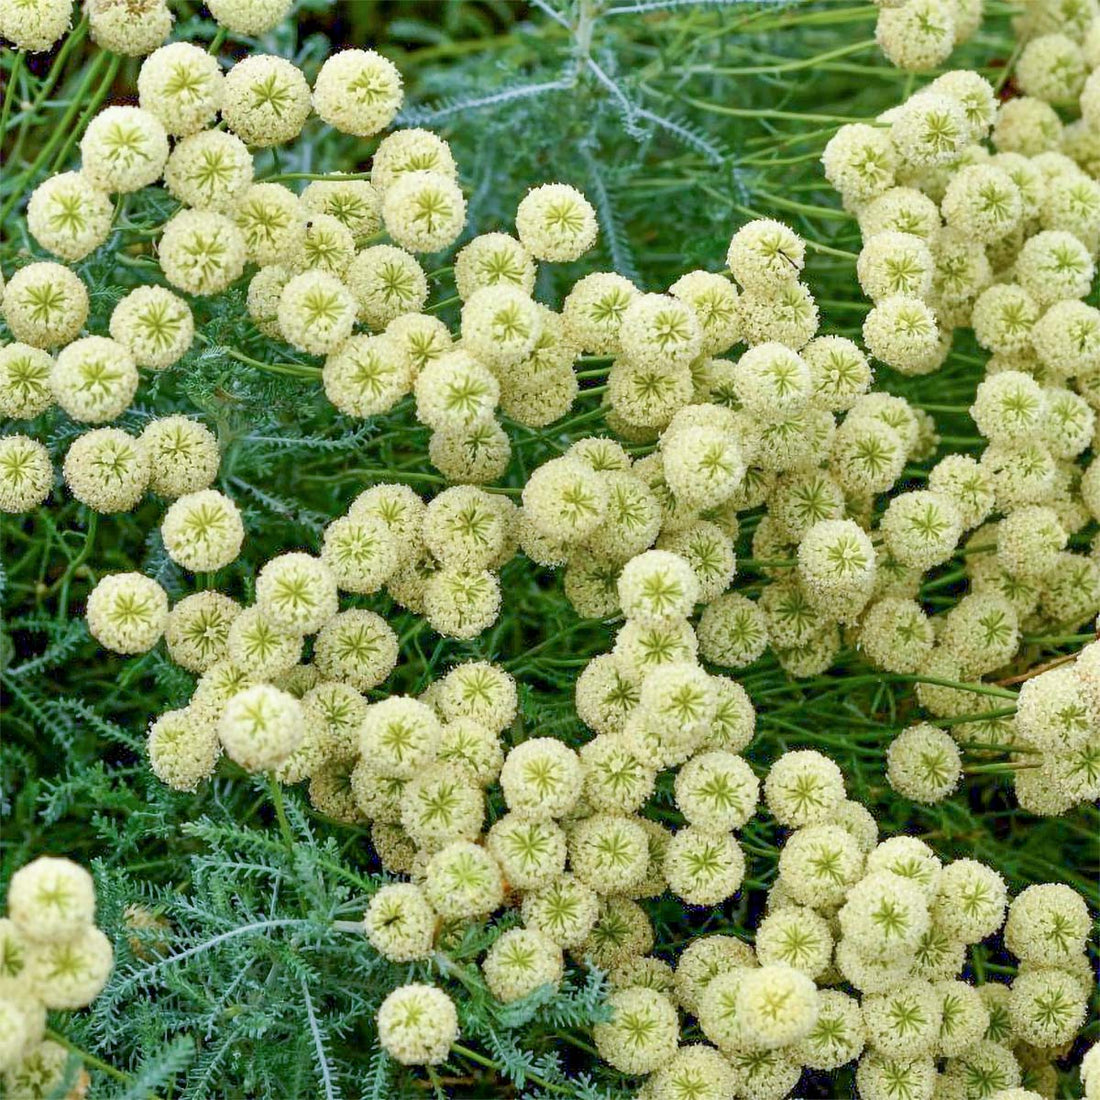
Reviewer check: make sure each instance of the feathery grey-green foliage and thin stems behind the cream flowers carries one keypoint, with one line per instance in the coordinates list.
(246, 988)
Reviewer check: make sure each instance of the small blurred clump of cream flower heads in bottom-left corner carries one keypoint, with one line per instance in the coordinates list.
(52, 956)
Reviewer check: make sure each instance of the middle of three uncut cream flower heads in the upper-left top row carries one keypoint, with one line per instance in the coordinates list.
(266, 101)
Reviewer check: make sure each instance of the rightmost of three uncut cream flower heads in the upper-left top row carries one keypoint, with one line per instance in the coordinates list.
(358, 92)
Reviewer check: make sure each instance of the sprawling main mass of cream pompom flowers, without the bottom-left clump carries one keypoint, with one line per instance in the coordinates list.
(728, 403)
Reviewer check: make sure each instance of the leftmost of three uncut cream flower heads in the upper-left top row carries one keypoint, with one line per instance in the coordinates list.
(181, 85)
